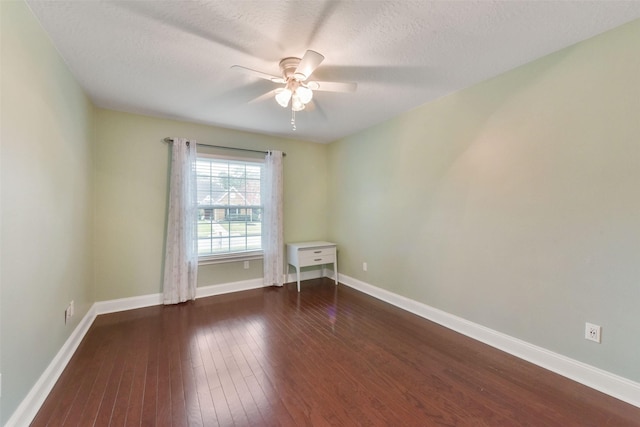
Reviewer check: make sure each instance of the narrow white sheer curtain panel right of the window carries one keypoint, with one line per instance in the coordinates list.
(272, 229)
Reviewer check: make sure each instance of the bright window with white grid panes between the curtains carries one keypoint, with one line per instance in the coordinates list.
(229, 208)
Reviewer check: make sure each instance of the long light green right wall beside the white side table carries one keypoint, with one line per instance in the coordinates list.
(514, 204)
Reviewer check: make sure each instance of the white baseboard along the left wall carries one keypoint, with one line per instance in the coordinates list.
(28, 408)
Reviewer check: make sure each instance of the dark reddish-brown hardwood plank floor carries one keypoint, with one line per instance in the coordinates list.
(327, 356)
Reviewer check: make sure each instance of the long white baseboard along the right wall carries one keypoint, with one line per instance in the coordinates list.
(606, 382)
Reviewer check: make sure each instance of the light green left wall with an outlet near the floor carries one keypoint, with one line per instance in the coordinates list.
(46, 208)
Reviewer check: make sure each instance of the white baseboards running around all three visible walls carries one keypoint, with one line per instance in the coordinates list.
(606, 382)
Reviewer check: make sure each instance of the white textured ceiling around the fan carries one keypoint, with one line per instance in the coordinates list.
(173, 58)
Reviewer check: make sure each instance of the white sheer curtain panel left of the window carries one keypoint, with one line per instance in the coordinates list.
(181, 254)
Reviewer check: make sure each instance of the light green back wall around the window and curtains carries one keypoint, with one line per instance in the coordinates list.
(132, 166)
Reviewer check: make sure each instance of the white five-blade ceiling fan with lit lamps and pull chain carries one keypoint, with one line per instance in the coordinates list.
(298, 89)
